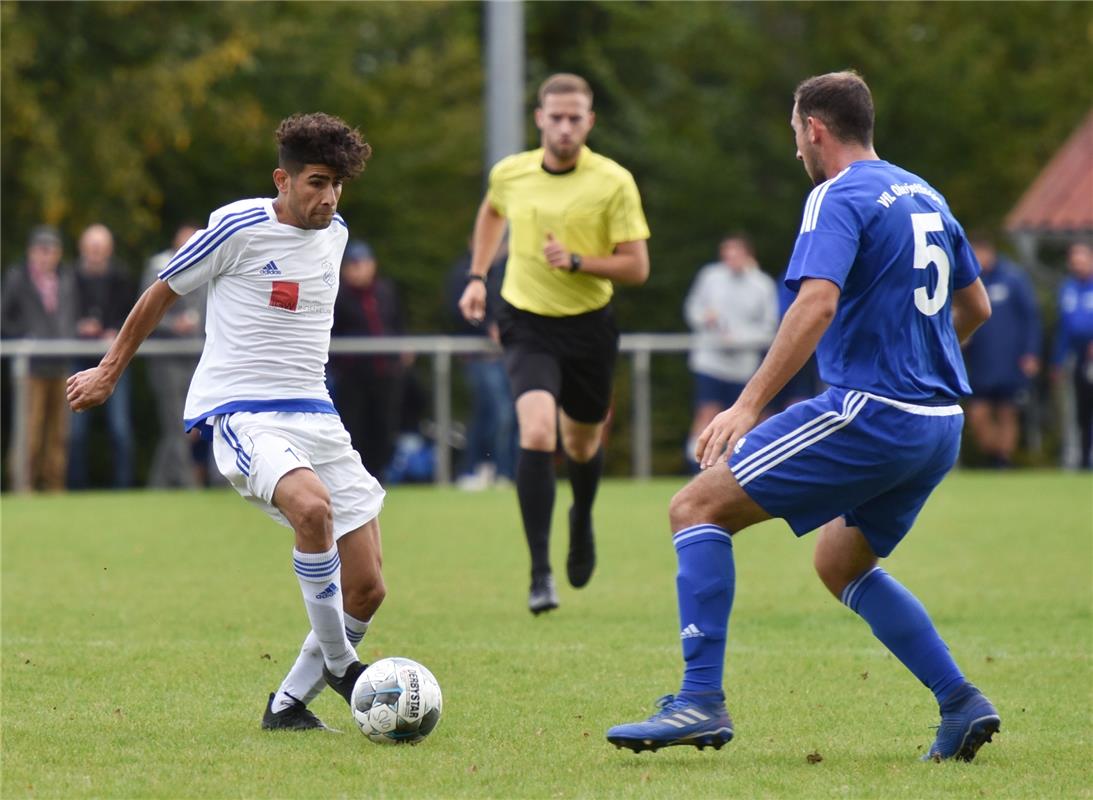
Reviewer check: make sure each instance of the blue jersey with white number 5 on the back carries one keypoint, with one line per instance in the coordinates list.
(891, 244)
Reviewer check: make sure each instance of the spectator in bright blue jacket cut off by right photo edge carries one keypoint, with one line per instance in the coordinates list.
(1074, 342)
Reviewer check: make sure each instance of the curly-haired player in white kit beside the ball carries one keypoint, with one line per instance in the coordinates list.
(272, 267)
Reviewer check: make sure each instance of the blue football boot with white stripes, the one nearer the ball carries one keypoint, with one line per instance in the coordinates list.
(681, 721)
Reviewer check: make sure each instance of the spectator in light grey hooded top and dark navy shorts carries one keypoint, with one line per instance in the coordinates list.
(734, 307)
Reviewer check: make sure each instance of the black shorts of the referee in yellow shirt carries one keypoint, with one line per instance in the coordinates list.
(572, 358)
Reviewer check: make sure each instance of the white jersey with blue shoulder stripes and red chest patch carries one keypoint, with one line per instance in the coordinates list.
(271, 308)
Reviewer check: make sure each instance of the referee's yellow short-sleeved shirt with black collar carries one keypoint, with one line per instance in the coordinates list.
(590, 209)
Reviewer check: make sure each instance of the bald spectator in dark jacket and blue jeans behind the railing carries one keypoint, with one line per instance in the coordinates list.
(104, 296)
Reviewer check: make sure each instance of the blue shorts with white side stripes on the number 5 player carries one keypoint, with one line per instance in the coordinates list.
(850, 454)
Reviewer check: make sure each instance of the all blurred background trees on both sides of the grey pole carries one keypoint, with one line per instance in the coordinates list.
(142, 115)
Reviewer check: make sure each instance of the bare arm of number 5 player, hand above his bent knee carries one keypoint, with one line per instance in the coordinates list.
(801, 332)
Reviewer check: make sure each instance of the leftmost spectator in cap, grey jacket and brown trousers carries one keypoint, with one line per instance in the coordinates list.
(39, 302)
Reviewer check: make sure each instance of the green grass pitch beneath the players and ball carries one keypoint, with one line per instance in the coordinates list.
(143, 632)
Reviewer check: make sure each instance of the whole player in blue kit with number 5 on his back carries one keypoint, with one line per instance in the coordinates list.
(887, 289)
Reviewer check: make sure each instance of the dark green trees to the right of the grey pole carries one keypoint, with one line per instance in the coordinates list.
(696, 99)
